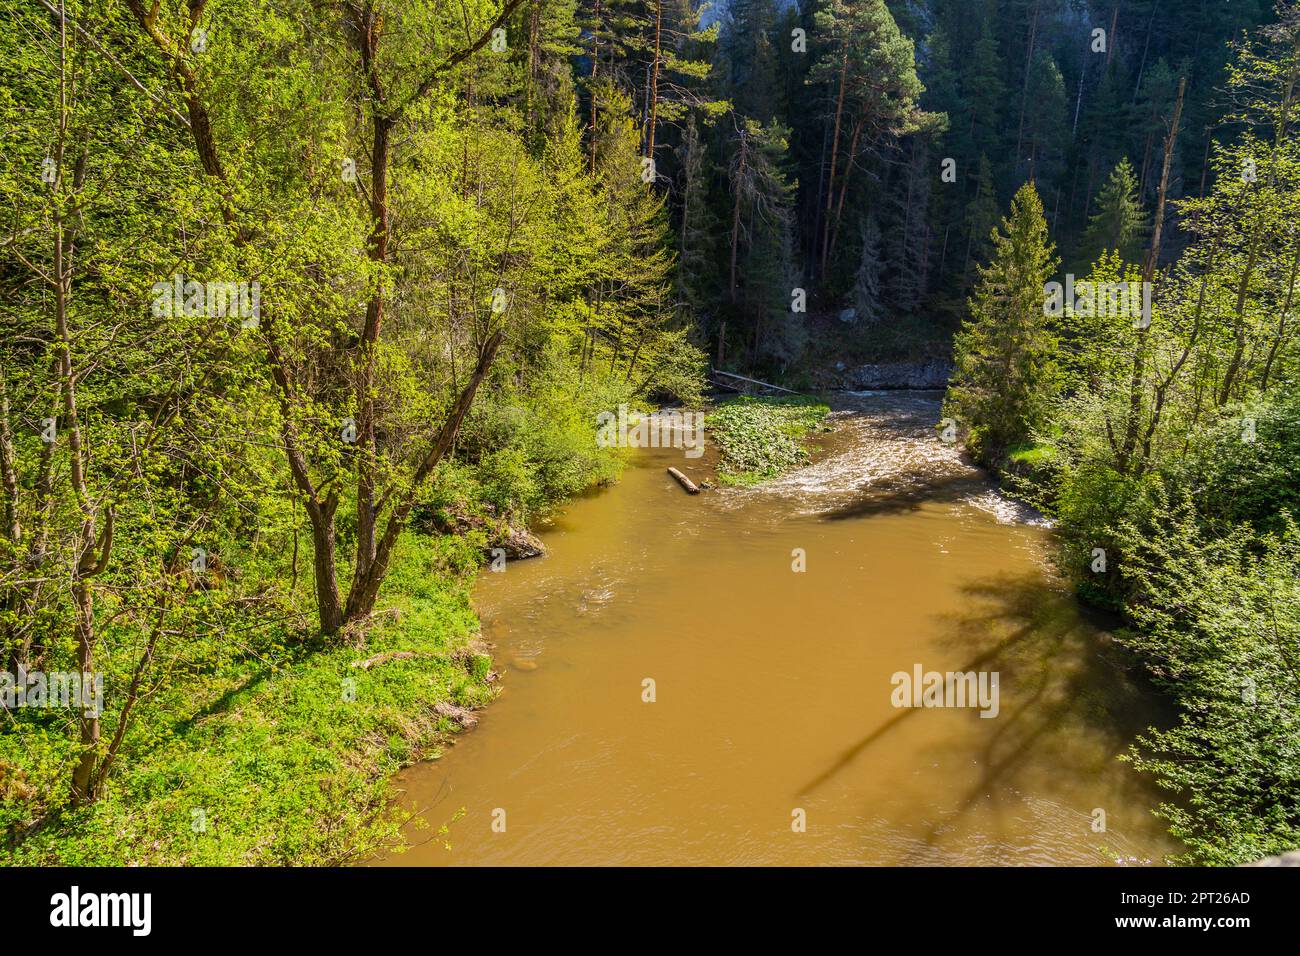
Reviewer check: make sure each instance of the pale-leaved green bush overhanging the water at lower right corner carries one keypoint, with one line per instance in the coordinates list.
(1217, 617)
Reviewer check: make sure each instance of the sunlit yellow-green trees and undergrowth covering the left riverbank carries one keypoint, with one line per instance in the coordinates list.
(215, 482)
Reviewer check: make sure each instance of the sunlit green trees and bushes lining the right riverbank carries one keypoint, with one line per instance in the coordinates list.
(1168, 455)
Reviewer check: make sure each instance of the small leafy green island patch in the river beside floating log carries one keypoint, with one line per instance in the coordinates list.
(762, 438)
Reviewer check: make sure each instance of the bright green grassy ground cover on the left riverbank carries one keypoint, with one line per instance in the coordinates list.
(266, 746)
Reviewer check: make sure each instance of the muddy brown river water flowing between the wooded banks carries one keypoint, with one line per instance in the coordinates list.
(774, 689)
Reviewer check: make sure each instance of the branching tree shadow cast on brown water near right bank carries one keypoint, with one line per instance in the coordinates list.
(1069, 704)
